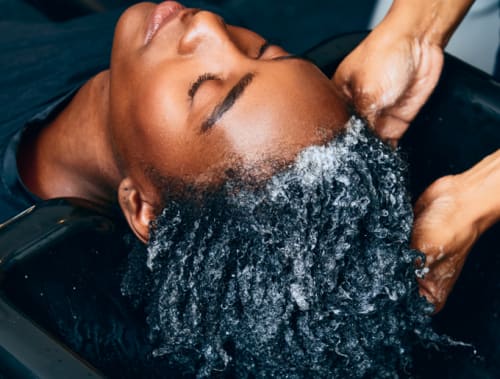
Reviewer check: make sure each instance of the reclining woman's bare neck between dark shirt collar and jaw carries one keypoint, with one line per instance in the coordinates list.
(72, 155)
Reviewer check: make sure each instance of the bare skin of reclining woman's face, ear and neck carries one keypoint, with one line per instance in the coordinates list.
(144, 113)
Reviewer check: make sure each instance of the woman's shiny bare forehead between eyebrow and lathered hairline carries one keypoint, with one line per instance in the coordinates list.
(287, 106)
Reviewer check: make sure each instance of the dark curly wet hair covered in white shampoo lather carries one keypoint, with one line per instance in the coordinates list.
(307, 275)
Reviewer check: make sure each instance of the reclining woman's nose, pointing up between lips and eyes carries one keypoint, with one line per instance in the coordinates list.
(205, 30)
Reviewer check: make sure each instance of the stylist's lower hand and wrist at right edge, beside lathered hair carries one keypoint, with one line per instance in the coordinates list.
(449, 217)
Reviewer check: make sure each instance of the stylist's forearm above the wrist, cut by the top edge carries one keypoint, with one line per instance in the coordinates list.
(430, 21)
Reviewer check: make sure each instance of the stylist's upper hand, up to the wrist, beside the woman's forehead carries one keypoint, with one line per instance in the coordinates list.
(388, 78)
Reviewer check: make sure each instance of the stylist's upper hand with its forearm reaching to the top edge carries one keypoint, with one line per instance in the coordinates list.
(390, 75)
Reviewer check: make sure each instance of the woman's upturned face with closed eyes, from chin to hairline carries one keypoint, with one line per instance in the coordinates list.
(189, 94)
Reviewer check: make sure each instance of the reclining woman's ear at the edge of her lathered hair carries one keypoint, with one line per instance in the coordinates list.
(138, 212)
